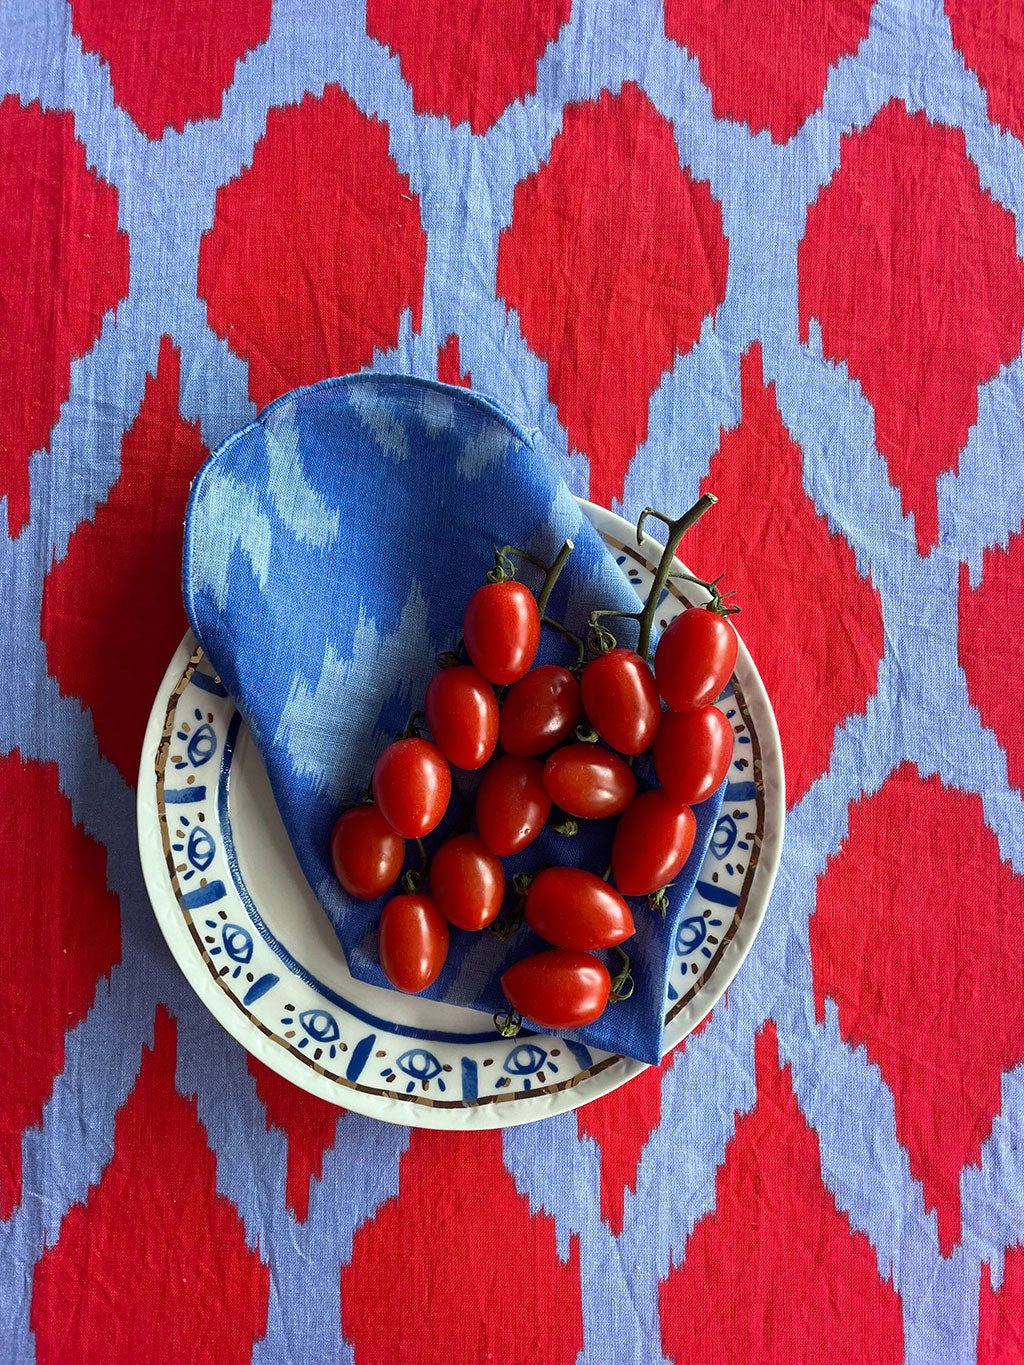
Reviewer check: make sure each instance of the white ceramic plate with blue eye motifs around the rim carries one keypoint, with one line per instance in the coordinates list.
(259, 951)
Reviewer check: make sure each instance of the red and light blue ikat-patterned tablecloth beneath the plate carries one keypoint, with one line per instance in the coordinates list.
(772, 249)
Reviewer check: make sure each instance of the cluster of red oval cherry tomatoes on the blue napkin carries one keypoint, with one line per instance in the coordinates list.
(547, 723)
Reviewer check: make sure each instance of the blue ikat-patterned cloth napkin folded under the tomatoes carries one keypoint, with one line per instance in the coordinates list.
(331, 548)
